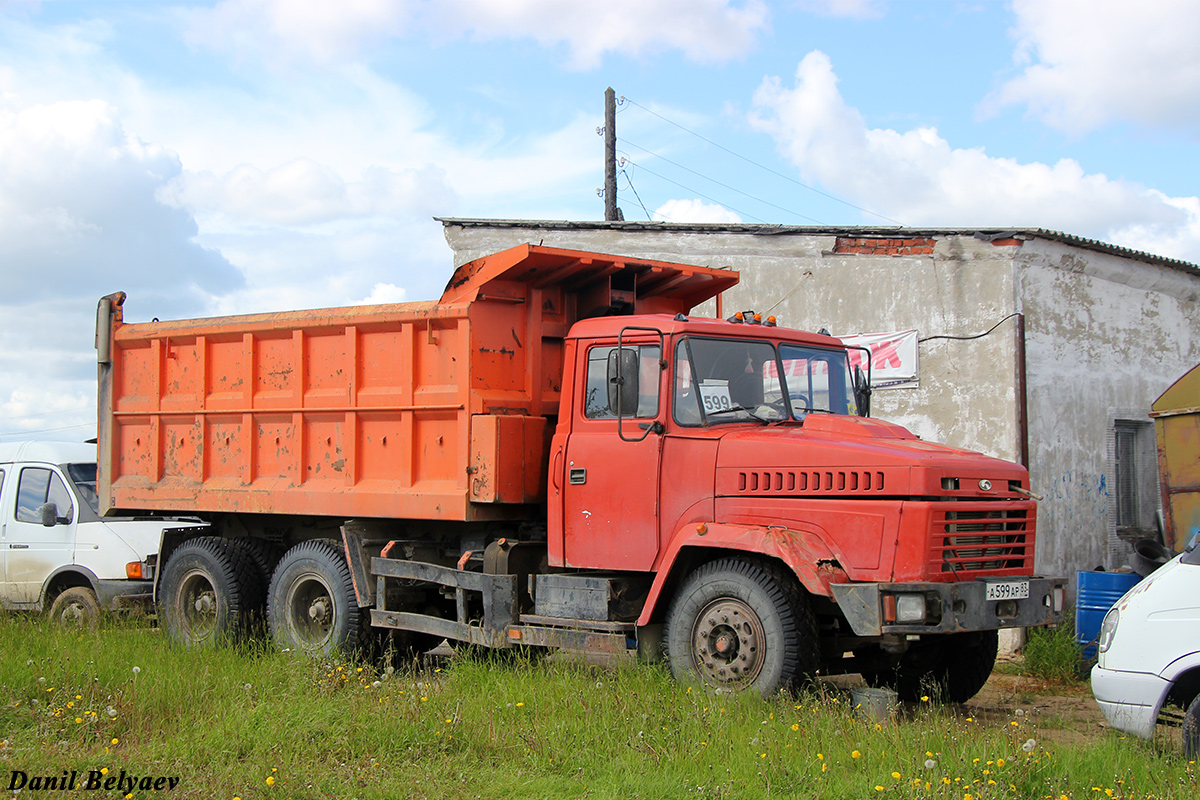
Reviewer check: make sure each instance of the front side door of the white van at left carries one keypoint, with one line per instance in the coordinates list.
(32, 550)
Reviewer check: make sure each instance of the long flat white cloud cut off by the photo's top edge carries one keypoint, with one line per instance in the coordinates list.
(706, 32)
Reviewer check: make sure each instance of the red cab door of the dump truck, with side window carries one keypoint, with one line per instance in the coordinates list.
(611, 476)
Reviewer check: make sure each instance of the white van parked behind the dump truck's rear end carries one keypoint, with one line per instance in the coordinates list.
(58, 552)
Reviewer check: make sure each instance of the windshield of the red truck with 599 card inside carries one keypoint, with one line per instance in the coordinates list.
(735, 381)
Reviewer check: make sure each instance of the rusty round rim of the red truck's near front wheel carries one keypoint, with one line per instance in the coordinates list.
(728, 643)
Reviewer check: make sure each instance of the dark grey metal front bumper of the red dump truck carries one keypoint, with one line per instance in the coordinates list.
(951, 607)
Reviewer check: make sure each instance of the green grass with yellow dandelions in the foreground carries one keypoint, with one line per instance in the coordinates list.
(230, 721)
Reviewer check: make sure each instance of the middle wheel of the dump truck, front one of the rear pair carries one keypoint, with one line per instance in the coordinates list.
(311, 605)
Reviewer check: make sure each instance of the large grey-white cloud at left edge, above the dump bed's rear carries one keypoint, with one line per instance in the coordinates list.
(79, 210)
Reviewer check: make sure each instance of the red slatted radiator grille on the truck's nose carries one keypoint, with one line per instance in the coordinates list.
(982, 540)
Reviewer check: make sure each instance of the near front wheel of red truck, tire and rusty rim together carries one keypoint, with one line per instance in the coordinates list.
(741, 624)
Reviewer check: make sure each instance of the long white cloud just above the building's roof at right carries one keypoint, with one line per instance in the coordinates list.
(917, 178)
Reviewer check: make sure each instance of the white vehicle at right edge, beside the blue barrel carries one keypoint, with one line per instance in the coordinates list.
(1149, 653)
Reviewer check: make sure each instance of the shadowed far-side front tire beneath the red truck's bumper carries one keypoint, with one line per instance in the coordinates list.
(952, 669)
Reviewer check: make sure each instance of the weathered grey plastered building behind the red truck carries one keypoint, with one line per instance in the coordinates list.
(1033, 346)
